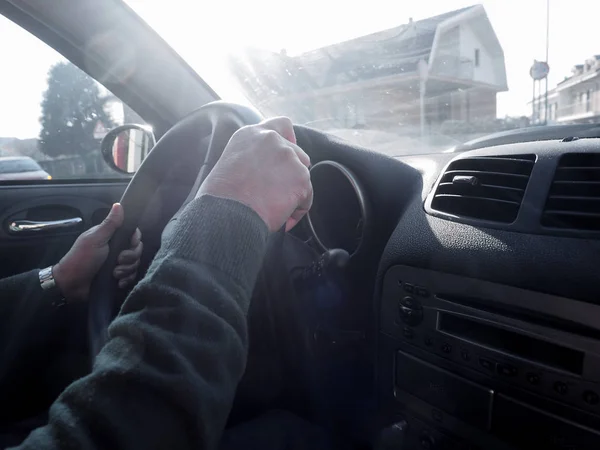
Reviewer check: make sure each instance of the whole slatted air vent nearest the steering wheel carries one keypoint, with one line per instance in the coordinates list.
(485, 187)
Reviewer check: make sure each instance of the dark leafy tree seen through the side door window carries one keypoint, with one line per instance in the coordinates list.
(71, 109)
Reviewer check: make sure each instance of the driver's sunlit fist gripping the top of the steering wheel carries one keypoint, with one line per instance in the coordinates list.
(263, 168)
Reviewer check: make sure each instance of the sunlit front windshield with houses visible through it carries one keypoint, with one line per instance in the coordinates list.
(397, 77)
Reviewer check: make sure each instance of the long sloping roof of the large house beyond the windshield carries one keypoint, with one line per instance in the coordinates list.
(385, 53)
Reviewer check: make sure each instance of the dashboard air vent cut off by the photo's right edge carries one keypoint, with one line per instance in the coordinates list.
(574, 198)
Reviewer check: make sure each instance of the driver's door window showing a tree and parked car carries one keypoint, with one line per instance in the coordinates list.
(53, 116)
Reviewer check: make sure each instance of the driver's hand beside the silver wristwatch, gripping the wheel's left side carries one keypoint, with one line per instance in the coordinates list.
(76, 270)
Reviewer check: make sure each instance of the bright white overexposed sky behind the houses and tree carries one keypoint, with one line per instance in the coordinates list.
(203, 32)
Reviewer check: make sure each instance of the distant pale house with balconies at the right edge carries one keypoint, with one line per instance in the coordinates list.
(576, 99)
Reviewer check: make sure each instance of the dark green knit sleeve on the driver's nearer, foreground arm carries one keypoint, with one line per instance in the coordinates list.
(167, 376)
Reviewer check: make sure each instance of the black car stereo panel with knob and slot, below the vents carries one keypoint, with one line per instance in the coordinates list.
(496, 358)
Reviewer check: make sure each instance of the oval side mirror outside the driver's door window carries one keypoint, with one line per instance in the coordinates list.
(125, 147)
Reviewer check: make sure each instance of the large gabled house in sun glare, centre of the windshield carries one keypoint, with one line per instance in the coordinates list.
(444, 68)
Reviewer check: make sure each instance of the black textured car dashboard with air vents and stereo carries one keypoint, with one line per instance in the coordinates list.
(477, 285)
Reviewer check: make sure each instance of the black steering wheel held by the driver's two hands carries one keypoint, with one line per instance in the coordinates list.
(202, 135)
